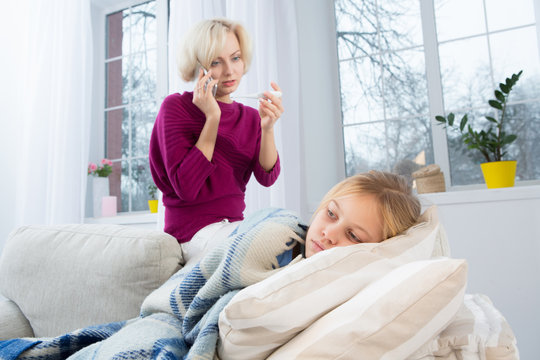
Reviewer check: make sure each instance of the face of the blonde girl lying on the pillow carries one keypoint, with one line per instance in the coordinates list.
(345, 221)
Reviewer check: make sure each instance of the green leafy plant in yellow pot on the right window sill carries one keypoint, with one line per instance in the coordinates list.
(493, 141)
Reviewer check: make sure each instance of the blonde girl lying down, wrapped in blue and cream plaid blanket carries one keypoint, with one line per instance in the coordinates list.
(179, 320)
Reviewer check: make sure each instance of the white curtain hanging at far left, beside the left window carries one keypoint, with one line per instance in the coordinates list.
(50, 76)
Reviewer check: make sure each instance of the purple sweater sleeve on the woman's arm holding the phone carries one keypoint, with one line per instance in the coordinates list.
(185, 165)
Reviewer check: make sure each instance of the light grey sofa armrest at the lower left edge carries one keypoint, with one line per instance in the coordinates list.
(13, 324)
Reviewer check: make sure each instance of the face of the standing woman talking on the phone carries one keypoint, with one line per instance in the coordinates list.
(228, 68)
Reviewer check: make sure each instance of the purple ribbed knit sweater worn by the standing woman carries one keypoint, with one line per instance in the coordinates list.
(198, 192)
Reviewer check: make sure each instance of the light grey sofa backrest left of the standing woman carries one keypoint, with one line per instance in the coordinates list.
(71, 276)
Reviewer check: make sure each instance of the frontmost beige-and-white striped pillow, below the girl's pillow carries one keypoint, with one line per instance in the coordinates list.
(390, 318)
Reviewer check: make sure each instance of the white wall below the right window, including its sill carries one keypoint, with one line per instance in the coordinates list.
(498, 233)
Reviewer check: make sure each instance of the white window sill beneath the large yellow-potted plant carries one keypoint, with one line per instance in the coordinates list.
(482, 195)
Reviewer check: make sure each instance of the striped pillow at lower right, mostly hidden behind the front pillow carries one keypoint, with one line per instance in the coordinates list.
(478, 330)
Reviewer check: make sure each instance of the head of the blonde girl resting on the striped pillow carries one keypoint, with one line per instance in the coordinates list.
(364, 208)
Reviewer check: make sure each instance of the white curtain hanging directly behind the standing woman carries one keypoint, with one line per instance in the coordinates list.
(272, 26)
